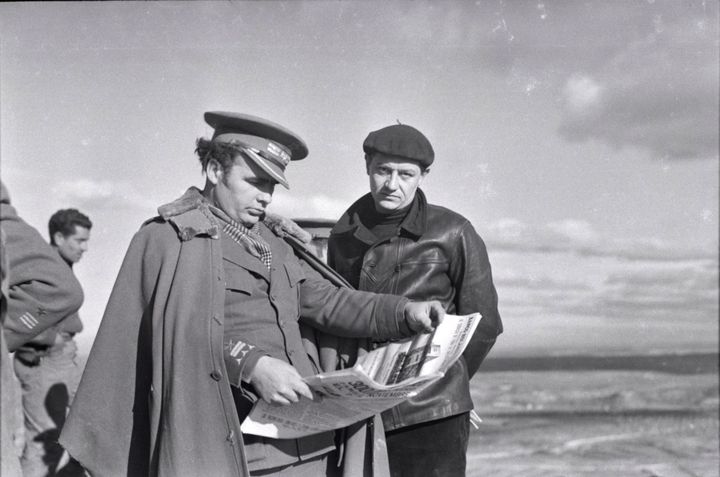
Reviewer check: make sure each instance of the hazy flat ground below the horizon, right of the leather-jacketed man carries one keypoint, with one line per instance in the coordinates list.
(582, 422)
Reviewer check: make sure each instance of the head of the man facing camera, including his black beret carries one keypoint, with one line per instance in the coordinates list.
(397, 159)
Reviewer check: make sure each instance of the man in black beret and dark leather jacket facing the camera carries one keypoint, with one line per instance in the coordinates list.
(392, 241)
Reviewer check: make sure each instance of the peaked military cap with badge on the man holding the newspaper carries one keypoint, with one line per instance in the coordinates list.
(269, 145)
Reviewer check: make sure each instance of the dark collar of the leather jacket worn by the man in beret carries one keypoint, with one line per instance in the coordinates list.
(414, 224)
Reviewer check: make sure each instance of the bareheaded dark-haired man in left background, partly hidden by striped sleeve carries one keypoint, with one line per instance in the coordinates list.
(47, 365)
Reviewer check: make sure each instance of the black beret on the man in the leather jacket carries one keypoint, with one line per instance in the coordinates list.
(400, 140)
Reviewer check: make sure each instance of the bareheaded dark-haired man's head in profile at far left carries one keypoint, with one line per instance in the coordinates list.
(69, 232)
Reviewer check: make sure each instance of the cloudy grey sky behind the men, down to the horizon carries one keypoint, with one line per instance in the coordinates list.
(579, 138)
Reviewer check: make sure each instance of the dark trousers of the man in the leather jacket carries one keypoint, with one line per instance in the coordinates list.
(434, 448)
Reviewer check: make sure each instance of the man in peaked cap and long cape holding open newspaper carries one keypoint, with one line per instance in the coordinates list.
(207, 316)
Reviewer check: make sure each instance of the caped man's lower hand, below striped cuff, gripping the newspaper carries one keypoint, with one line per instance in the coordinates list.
(277, 382)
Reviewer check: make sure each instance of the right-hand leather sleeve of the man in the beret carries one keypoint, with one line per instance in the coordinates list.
(475, 292)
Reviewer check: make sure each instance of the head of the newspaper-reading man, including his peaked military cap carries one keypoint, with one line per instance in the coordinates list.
(244, 160)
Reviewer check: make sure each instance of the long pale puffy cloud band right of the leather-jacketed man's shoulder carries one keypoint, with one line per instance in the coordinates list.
(580, 238)
